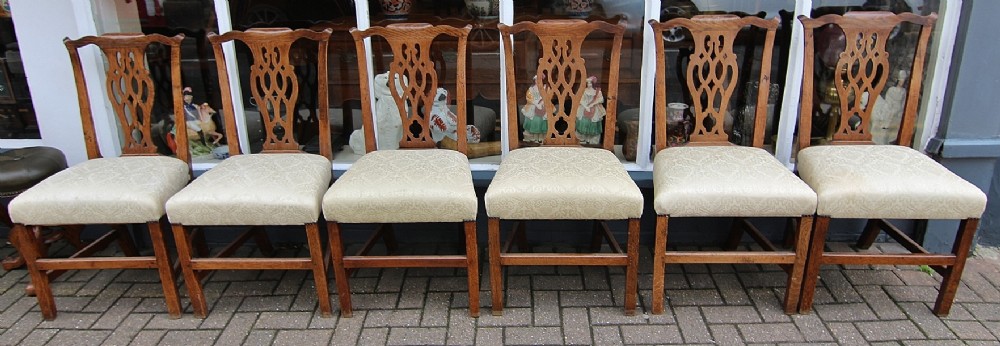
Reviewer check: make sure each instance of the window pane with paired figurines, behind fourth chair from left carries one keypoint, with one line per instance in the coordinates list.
(597, 56)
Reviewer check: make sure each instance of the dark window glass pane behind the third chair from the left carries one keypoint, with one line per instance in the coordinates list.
(482, 58)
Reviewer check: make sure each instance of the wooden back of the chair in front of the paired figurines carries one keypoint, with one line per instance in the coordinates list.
(561, 62)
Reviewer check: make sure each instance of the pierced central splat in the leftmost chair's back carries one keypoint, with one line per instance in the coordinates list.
(131, 92)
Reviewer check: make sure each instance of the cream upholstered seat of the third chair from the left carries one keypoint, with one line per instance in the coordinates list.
(387, 186)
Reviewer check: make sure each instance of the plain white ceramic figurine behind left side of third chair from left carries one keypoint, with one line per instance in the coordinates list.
(387, 117)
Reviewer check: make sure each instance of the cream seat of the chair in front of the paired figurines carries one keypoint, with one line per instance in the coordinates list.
(563, 183)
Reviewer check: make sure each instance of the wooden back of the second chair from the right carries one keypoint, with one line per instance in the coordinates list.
(712, 75)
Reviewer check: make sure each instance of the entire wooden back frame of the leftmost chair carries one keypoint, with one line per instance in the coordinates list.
(131, 91)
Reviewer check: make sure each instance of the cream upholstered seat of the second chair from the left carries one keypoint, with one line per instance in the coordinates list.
(255, 189)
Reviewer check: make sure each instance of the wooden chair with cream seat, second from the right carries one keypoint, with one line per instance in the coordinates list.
(710, 177)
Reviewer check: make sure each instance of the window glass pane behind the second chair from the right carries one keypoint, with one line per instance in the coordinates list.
(748, 46)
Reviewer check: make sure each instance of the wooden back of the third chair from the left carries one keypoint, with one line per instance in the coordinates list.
(416, 73)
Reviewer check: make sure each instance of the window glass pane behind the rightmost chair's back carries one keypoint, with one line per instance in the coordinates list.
(901, 45)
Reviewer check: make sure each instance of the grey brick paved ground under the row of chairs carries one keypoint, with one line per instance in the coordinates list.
(718, 304)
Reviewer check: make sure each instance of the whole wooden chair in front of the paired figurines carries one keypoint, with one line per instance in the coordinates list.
(562, 180)
